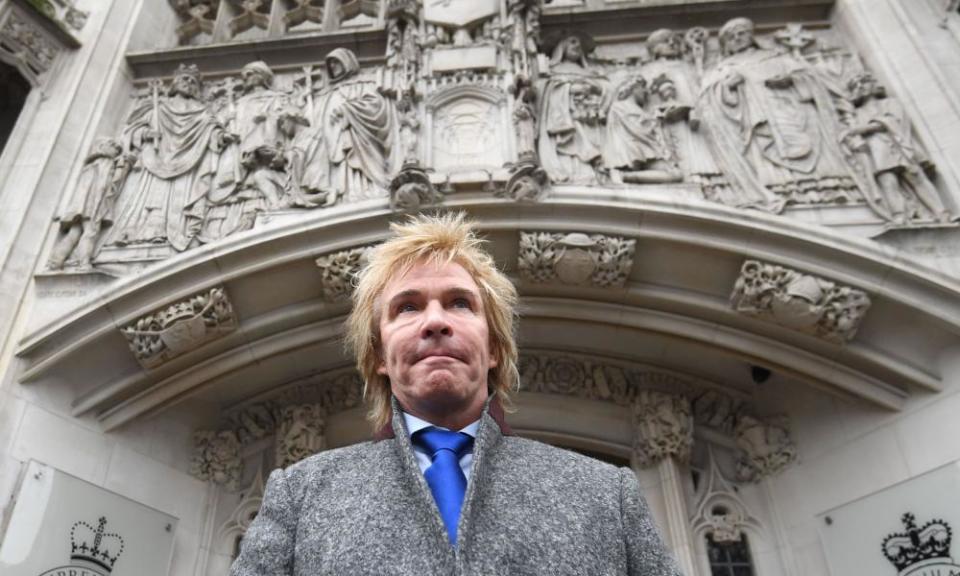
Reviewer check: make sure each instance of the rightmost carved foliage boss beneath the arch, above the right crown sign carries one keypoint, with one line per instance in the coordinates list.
(766, 448)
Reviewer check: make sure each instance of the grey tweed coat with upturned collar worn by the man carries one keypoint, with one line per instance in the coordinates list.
(530, 508)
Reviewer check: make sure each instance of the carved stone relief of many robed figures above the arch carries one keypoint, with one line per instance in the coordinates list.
(472, 96)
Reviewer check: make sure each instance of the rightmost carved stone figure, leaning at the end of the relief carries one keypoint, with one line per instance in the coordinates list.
(880, 135)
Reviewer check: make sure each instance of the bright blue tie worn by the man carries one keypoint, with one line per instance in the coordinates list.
(444, 476)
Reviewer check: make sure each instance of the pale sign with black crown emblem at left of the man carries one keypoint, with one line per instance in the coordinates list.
(62, 525)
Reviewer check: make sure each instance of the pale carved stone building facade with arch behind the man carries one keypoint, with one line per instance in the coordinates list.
(734, 242)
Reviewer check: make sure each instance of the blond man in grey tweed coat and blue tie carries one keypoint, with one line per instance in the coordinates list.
(444, 488)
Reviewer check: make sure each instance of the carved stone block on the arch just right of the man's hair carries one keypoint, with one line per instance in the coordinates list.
(575, 259)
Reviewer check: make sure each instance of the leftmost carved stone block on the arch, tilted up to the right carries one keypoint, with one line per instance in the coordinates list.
(181, 327)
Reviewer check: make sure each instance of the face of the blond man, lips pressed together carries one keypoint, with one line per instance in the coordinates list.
(434, 341)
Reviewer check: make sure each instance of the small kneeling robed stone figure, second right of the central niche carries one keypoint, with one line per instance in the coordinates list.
(635, 148)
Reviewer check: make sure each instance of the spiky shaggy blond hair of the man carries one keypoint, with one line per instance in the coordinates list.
(440, 240)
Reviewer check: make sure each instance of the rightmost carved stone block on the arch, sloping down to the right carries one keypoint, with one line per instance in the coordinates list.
(799, 301)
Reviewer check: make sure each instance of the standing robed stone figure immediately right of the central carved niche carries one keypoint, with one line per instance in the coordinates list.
(573, 106)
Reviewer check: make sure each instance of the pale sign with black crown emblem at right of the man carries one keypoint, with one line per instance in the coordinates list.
(904, 530)
